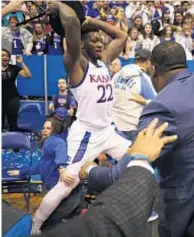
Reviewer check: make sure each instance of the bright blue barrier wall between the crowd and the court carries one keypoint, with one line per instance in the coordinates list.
(55, 70)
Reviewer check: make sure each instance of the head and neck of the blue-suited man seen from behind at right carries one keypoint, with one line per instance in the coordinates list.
(168, 58)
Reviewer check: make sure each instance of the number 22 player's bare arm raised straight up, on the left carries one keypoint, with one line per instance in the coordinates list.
(74, 60)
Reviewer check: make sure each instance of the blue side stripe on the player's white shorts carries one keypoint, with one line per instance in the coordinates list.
(82, 148)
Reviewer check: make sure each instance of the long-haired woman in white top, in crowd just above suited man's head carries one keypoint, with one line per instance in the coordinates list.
(148, 39)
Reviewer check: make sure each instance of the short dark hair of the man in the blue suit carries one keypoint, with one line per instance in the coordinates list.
(168, 56)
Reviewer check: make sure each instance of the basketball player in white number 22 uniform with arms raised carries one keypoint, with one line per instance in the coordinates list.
(92, 87)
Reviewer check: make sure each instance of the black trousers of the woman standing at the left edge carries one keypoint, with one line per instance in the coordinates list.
(10, 109)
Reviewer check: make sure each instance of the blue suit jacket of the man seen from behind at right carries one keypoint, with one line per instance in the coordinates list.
(175, 105)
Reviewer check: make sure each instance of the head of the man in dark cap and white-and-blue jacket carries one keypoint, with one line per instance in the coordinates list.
(143, 59)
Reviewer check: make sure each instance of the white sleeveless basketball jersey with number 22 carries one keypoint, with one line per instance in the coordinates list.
(94, 95)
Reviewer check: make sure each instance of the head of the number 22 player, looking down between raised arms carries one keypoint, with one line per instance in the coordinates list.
(92, 44)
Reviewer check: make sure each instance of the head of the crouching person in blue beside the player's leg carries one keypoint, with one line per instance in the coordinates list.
(50, 127)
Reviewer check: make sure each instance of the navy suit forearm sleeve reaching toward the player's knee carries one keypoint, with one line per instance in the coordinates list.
(101, 178)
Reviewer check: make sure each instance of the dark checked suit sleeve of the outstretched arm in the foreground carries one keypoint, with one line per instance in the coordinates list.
(122, 210)
